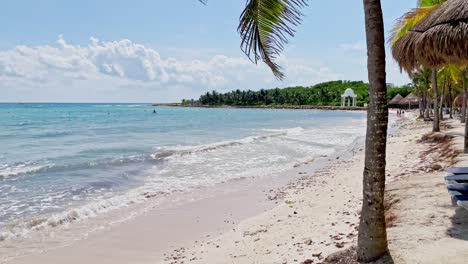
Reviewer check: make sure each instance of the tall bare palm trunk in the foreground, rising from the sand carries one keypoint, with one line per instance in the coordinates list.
(372, 239)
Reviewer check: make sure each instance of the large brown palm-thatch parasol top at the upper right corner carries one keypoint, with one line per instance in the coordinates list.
(438, 39)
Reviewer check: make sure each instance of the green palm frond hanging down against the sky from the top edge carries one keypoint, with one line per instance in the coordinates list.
(264, 27)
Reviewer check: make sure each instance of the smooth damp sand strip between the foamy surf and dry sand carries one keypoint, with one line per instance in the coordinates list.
(210, 218)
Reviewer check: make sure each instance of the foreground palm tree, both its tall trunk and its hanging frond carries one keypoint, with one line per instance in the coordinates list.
(264, 27)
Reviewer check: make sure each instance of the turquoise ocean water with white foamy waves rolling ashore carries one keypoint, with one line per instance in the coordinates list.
(61, 163)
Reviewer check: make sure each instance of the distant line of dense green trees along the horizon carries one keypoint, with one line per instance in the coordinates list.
(328, 93)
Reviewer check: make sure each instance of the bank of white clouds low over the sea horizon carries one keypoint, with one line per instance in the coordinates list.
(127, 71)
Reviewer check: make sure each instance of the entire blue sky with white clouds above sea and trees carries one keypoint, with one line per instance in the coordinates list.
(163, 51)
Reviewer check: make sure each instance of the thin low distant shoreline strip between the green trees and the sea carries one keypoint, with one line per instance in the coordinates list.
(291, 107)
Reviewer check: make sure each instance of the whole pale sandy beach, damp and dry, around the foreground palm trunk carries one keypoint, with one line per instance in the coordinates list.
(314, 214)
